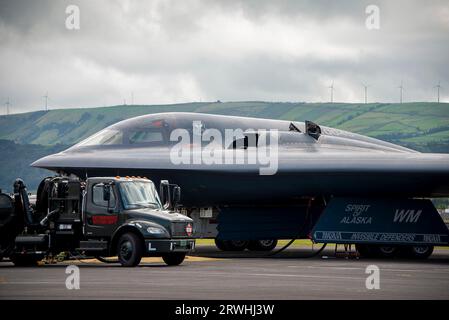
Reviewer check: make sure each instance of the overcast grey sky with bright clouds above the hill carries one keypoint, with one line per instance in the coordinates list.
(183, 51)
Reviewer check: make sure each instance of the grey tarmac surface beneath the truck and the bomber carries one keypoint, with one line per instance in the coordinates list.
(214, 275)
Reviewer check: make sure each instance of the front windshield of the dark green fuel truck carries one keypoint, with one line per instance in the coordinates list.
(139, 194)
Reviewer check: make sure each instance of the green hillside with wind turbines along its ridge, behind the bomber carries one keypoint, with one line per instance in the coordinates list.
(423, 126)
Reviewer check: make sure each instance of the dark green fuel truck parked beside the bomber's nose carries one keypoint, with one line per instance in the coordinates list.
(97, 217)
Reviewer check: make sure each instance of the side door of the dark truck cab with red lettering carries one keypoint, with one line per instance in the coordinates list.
(101, 214)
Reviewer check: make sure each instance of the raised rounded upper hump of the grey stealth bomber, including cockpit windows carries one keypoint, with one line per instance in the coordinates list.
(160, 130)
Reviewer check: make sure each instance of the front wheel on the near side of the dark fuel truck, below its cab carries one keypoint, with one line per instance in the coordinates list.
(129, 250)
